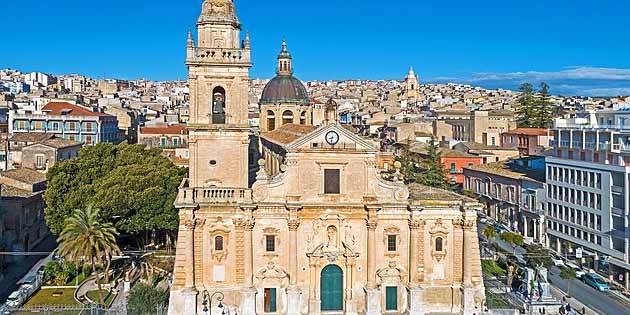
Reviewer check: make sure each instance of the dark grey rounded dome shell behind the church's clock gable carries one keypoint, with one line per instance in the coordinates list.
(284, 89)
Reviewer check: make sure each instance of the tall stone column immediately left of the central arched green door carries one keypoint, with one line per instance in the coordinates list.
(293, 292)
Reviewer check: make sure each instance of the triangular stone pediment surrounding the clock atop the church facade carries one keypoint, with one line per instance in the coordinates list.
(316, 139)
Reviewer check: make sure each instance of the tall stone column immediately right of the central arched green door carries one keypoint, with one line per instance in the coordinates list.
(372, 292)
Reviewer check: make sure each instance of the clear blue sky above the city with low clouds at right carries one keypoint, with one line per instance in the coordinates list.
(578, 46)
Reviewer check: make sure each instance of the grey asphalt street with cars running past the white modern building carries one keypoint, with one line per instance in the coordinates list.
(602, 302)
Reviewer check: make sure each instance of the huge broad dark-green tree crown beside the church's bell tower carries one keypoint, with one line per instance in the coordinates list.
(133, 187)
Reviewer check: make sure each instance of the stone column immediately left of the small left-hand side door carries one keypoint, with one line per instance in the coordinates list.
(248, 293)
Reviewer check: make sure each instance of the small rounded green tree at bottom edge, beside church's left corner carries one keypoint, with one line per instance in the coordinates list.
(145, 299)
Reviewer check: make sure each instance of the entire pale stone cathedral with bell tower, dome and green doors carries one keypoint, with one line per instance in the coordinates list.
(317, 229)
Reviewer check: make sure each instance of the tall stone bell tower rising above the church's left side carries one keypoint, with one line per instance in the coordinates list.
(218, 76)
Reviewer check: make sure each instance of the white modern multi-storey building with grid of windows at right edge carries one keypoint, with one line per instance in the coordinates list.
(588, 184)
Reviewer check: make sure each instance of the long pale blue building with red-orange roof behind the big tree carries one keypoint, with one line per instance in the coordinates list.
(67, 121)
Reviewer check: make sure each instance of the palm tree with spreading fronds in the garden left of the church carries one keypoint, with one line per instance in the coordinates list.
(85, 237)
